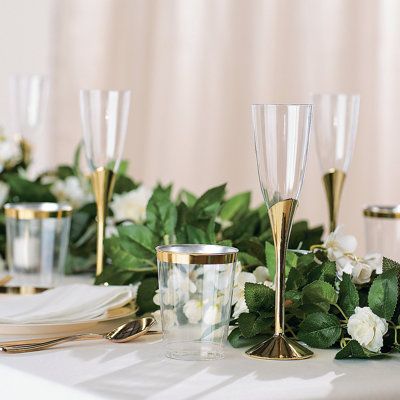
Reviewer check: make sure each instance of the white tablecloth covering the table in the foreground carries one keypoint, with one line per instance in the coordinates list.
(138, 370)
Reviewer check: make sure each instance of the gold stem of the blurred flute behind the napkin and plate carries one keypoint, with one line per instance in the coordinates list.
(103, 185)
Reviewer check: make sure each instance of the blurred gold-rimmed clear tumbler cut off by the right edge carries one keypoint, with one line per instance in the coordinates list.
(382, 230)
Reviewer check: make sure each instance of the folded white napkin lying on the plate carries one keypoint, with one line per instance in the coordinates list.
(69, 303)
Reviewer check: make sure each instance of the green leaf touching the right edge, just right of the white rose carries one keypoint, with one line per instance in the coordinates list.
(382, 296)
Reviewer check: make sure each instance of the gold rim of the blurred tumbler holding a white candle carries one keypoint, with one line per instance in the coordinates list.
(37, 210)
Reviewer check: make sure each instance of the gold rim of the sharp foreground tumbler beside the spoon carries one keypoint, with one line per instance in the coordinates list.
(197, 254)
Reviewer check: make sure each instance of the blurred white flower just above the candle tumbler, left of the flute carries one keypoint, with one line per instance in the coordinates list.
(71, 191)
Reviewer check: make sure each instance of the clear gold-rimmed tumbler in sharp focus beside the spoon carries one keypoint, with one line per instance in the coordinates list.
(195, 290)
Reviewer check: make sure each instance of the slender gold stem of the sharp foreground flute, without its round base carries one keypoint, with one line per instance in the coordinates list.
(281, 217)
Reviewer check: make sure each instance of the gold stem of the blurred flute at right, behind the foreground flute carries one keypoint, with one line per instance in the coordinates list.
(333, 181)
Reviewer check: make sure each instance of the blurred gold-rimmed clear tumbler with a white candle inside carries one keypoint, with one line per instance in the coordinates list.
(37, 240)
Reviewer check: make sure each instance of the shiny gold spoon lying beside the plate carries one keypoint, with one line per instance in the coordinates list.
(124, 333)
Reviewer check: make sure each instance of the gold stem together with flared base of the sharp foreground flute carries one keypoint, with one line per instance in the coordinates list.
(279, 347)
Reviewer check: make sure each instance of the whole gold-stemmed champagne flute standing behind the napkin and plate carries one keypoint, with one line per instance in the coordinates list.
(104, 116)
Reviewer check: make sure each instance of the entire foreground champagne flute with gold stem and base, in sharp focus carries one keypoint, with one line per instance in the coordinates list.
(281, 136)
